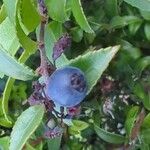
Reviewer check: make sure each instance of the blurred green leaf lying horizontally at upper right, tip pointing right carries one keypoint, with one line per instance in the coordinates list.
(119, 22)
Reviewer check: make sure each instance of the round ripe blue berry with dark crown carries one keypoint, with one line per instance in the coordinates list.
(67, 86)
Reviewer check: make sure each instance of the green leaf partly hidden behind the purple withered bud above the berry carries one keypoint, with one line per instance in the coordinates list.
(52, 33)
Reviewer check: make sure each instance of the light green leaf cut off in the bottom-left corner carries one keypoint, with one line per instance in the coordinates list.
(4, 143)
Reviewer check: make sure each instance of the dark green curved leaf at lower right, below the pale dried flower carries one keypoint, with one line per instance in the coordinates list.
(109, 137)
